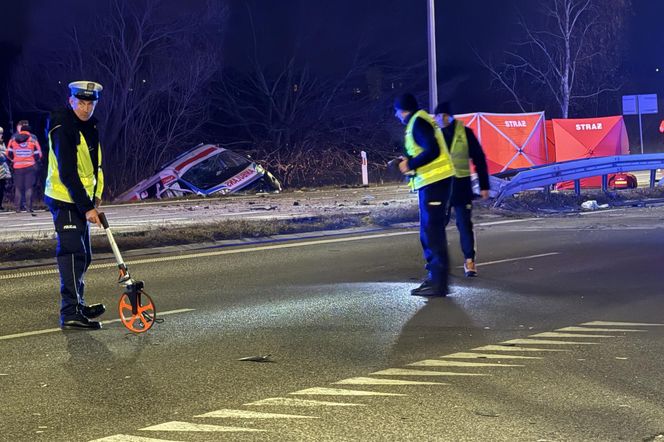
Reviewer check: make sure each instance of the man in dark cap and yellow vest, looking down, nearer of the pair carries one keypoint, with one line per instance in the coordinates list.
(429, 165)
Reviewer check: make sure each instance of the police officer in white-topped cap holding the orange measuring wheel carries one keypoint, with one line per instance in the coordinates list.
(73, 190)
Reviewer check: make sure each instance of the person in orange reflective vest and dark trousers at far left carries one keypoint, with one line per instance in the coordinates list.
(24, 151)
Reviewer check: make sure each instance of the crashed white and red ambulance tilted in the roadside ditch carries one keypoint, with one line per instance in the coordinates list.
(204, 170)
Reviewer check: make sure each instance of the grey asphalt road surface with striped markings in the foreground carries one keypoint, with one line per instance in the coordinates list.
(517, 354)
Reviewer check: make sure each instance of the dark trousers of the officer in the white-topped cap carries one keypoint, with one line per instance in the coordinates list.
(73, 254)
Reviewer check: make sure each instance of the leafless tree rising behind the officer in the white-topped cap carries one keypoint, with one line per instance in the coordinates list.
(154, 65)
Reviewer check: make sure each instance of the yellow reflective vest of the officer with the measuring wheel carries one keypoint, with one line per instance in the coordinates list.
(86, 172)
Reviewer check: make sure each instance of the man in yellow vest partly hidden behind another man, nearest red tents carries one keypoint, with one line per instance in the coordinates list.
(464, 147)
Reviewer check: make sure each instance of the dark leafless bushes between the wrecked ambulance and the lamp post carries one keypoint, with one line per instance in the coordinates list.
(306, 128)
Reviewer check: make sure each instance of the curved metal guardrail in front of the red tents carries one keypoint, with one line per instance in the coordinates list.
(576, 169)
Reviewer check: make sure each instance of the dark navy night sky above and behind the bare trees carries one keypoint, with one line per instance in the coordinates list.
(326, 33)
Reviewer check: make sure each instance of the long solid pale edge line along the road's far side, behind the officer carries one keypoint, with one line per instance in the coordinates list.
(215, 253)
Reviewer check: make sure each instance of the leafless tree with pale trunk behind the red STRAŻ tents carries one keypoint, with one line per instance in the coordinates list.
(572, 55)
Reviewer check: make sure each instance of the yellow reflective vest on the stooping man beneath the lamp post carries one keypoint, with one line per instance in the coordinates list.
(438, 169)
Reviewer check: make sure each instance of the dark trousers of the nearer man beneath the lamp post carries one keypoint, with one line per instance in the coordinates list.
(433, 200)
